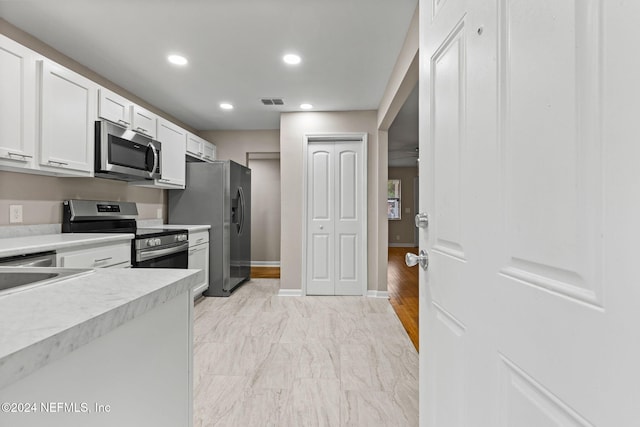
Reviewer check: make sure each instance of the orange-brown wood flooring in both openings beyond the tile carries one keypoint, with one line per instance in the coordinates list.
(402, 287)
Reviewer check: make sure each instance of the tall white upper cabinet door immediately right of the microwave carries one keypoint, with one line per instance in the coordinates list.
(173, 141)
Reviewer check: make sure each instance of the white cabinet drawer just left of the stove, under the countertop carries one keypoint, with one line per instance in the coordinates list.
(97, 257)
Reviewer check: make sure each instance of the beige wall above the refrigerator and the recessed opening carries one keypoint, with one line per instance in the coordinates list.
(235, 144)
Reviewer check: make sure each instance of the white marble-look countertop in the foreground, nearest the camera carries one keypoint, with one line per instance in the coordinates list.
(43, 324)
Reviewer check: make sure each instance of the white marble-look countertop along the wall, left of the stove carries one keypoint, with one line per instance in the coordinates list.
(49, 242)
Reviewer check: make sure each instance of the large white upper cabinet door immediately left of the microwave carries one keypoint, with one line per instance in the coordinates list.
(68, 110)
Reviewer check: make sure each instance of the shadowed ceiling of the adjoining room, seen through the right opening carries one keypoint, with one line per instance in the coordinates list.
(403, 134)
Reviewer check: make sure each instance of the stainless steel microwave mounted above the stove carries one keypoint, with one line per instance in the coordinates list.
(124, 154)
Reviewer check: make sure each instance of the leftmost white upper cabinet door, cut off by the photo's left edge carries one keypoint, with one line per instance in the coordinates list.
(17, 105)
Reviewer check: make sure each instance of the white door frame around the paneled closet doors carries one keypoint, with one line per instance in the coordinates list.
(335, 137)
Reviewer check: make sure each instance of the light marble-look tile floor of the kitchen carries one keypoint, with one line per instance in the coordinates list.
(265, 360)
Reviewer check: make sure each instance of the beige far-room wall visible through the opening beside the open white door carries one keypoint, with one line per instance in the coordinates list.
(402, 232)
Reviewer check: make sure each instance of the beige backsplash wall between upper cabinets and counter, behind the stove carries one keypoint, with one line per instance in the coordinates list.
(41, 196)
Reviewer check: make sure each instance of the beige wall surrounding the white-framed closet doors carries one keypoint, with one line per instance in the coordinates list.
(293, 127)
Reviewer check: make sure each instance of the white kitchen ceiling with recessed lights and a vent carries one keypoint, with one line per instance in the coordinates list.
(234, 48)
